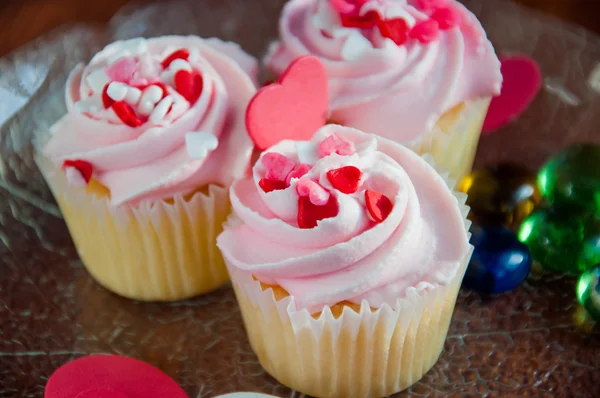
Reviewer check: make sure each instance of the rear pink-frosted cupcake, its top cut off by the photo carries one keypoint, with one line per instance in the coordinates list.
(418, 72)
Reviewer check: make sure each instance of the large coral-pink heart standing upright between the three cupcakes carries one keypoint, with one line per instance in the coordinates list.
(295, 108)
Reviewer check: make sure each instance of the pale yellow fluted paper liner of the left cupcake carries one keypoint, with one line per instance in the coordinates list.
(159, 251)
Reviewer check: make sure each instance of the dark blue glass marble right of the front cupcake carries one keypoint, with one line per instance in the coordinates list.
(499, 263)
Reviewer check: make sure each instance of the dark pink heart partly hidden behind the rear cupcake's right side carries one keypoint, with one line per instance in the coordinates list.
(522, 81)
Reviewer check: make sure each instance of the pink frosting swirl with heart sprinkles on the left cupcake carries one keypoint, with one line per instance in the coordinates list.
(180, 124)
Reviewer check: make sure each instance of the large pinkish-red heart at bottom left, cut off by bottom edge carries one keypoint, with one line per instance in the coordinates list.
(99, 375)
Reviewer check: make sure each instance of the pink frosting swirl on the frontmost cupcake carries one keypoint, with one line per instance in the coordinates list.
(347, 256)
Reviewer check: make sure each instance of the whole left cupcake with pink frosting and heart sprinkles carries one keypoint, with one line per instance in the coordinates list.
(141, 163)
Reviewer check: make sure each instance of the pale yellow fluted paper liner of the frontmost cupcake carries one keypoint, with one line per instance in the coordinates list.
(370, 353)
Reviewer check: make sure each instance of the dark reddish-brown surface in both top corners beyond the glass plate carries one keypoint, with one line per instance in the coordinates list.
(24, 20)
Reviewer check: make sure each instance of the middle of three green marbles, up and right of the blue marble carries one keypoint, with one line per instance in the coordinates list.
(563, 241)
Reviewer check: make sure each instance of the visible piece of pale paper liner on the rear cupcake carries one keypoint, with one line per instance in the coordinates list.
(453, 140)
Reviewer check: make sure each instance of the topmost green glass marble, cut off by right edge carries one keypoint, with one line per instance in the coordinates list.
(572, 178)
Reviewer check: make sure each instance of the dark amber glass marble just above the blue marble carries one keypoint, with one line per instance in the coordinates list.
(501, 195)
